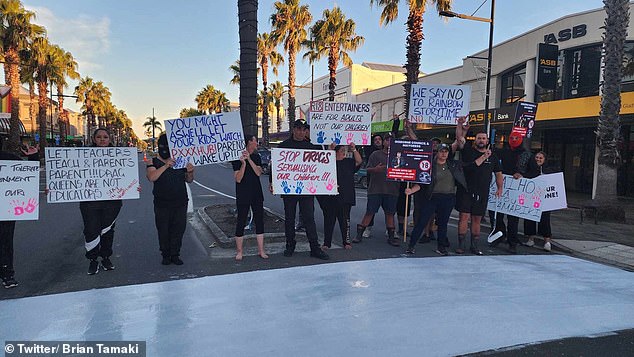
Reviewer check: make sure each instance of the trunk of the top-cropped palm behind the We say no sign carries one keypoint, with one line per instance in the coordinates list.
(414, 40)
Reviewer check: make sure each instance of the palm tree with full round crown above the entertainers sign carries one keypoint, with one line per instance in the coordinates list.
(333, 36)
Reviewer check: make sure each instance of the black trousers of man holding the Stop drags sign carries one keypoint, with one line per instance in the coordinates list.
(306, 211)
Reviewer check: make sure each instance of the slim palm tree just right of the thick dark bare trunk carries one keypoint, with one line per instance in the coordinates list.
(267, 54)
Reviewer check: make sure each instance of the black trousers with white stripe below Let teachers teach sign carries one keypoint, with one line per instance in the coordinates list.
(99, 221)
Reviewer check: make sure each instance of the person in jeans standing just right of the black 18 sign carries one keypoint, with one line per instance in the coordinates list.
(439, 197)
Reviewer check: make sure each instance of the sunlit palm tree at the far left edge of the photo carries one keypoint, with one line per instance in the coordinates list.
(16, 32)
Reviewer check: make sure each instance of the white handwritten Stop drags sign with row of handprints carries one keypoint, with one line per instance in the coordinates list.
(304, 172)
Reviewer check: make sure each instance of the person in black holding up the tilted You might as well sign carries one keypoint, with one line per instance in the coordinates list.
(170, 201)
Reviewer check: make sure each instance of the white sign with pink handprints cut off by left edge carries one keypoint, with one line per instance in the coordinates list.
(19, 196)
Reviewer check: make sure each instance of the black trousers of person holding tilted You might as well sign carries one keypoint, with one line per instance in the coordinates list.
(170, 225)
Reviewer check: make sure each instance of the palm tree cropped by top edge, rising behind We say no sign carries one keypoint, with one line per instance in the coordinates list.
(415, 33)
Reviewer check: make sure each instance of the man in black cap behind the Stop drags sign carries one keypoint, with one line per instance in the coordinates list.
(306, 202)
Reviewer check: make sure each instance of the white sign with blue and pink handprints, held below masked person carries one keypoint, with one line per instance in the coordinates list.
(520, 198)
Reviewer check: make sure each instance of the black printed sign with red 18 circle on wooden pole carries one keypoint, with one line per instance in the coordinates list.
(409, 161)
